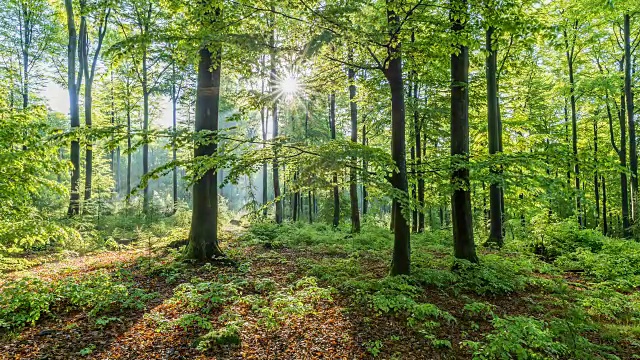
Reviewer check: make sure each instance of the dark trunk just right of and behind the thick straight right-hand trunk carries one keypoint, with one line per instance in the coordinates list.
(495, 212)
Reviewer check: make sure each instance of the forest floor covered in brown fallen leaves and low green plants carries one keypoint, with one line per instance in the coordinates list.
(305, 292)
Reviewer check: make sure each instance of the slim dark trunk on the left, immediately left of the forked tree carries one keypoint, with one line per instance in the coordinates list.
(74, 112)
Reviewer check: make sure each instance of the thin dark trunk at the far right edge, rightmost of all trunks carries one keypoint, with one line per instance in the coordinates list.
(628, 90)
